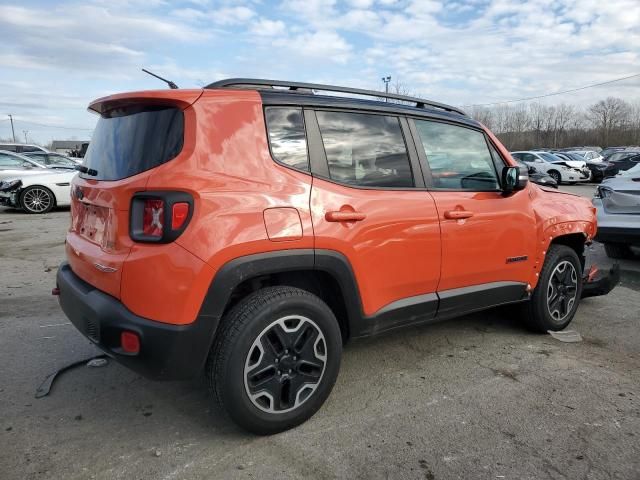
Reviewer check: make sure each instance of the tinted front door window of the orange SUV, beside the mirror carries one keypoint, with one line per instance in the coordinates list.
(458, 157)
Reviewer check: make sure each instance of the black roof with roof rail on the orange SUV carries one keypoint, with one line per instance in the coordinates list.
(299, 93)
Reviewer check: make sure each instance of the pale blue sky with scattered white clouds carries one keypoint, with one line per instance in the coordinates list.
(58, 56)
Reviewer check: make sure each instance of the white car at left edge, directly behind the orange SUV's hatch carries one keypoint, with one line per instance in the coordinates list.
(37, 193)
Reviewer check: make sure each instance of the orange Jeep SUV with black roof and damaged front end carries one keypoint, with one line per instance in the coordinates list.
(247, 230)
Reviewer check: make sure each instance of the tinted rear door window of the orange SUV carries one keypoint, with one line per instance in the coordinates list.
(365, 150)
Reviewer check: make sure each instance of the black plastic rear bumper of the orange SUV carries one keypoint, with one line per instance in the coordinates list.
(167, 352)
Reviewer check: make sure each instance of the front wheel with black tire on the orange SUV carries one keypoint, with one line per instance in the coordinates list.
(548, 312)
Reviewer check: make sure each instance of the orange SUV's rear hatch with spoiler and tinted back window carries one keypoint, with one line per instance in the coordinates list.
(134, 134)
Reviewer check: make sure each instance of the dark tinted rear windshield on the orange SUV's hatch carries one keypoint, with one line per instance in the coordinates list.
(130, 140)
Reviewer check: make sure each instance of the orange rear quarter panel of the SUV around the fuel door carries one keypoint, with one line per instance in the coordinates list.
(227, 167)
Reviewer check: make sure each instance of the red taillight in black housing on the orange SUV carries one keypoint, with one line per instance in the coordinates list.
(159, 217)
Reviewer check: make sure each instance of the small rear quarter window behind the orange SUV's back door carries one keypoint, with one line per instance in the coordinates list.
(286, 136)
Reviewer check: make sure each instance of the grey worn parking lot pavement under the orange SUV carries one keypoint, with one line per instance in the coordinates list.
(476, 397)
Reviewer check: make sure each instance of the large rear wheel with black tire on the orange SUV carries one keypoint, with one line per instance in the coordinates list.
(248, 334)
